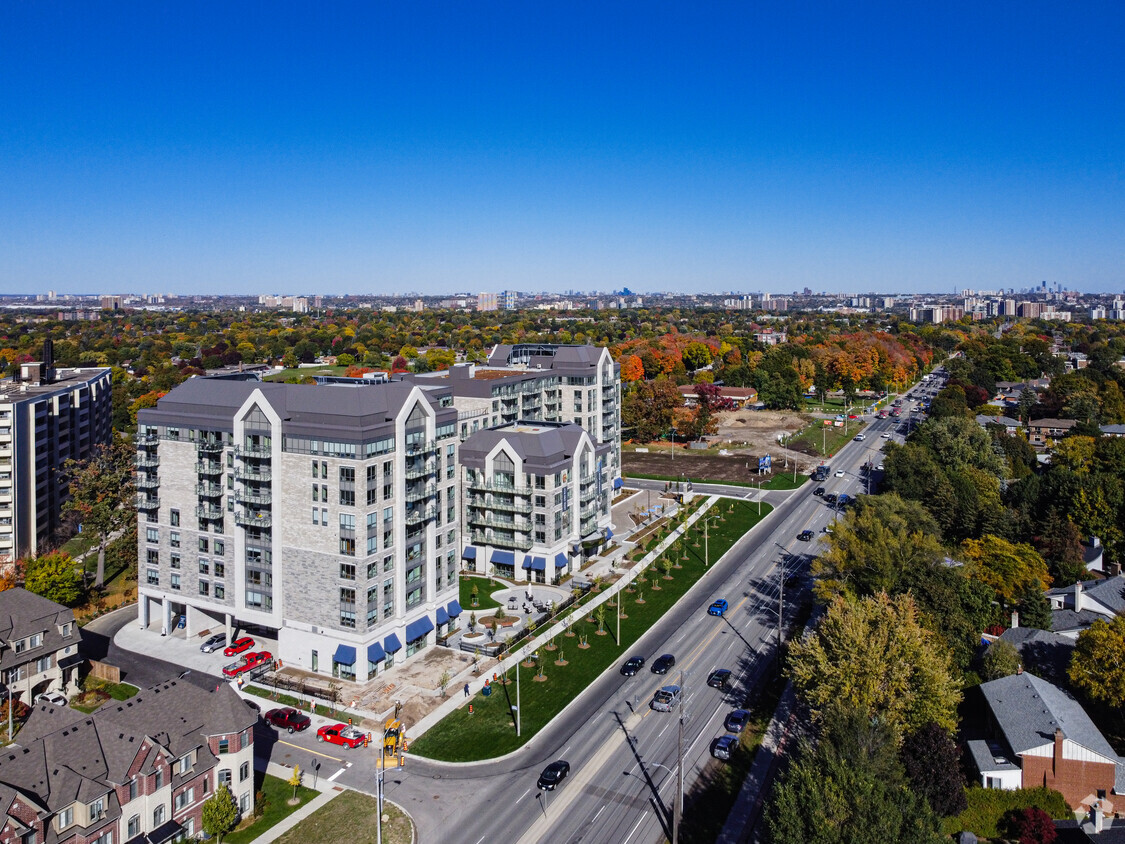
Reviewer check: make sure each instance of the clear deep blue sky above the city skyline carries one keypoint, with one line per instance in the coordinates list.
(390, 148)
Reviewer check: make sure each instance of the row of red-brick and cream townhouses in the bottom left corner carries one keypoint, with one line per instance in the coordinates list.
(134, 771)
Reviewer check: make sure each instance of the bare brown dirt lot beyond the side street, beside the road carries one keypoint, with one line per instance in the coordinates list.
(745, 435)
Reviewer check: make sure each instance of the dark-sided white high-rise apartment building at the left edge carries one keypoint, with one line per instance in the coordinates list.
(47, 418)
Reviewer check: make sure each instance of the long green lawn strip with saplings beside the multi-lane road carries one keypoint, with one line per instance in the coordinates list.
(490, 732)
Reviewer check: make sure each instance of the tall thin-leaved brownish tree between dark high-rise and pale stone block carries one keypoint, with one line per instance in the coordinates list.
(102, 491)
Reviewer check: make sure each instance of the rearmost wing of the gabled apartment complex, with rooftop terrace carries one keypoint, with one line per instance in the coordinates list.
(539, 382)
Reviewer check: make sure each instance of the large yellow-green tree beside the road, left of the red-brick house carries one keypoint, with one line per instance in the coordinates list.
(875, 654)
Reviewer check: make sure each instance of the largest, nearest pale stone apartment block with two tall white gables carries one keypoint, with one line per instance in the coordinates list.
(327, 515)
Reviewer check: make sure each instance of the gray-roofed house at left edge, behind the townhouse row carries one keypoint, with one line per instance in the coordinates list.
(39, 645)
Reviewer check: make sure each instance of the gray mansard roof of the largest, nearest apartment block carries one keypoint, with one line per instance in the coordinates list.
(323, 411)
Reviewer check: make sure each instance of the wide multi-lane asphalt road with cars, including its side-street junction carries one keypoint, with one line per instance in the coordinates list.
(623, 755)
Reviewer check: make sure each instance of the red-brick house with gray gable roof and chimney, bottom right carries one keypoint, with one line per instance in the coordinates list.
(1040, 737)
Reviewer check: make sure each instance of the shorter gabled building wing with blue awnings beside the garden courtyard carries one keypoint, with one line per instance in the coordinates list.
(536, 498)
